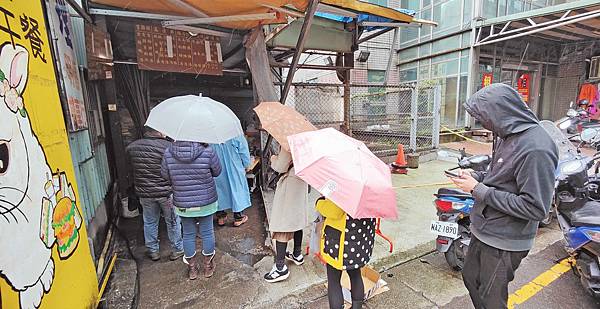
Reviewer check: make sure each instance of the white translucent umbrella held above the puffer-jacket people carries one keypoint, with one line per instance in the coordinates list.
(195, 119)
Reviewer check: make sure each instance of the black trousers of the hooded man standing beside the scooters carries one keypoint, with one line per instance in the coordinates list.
(487, 272)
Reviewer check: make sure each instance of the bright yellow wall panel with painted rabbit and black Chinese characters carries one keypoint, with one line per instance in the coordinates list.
(45, 259)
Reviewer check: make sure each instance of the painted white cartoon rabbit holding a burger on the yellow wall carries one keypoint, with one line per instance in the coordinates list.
(37, 206)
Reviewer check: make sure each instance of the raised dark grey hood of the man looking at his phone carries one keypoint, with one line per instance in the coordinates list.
(501, 110)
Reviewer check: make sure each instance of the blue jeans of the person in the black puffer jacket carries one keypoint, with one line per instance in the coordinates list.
(152, 208)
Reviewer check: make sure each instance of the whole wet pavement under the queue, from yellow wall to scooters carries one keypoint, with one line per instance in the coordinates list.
(417, 277)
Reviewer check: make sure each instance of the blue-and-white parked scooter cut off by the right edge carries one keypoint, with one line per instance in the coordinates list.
(577, 207)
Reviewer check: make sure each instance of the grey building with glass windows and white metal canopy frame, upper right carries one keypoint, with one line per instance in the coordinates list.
(455, 55)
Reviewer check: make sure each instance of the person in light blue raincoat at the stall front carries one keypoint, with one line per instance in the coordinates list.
(232, 186)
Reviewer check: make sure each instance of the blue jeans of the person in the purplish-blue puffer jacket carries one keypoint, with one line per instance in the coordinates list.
(190, 229)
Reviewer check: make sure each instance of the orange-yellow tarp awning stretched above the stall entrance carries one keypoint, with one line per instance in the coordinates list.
(243, 13)
